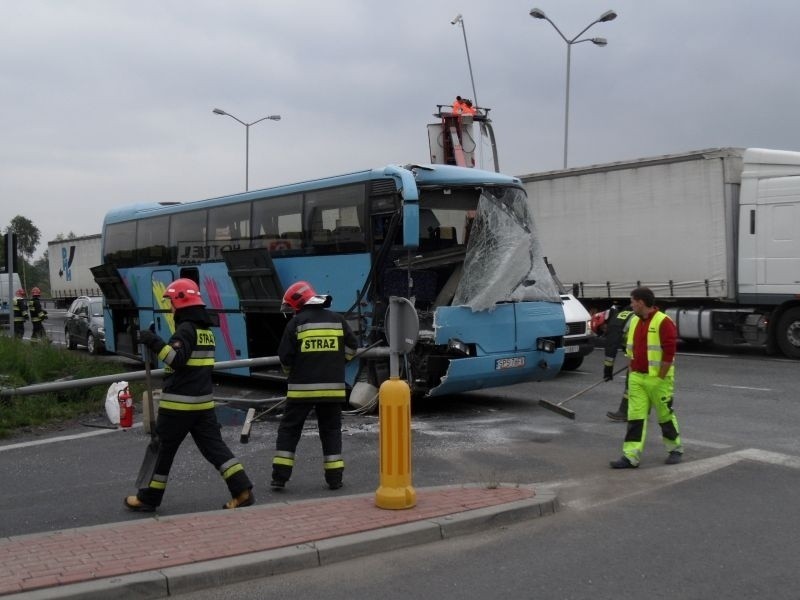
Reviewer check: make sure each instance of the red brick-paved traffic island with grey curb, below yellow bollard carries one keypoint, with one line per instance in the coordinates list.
(159, 556)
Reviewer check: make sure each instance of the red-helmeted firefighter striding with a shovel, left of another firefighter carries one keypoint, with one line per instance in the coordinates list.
(186, 405)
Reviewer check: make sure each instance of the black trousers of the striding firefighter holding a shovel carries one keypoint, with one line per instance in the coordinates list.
(172, 428)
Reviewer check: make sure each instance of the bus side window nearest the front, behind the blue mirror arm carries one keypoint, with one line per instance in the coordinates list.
(336, 215)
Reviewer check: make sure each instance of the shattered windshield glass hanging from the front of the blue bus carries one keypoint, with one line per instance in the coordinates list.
(504, 261)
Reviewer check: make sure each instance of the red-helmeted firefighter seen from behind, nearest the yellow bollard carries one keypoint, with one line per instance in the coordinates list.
(313, 350)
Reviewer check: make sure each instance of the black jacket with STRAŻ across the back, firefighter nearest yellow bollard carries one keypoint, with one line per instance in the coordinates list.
(313, 351)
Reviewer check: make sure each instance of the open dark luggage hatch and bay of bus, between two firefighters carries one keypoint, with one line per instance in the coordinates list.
(260, 295)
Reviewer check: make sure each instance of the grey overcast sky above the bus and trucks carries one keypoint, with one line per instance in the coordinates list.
(108, 102)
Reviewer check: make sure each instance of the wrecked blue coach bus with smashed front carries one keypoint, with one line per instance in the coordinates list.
(459, 243)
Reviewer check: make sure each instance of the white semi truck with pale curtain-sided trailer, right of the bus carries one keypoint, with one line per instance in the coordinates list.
(715, 233)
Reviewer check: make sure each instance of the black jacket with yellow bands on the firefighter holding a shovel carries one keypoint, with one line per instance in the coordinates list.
(189, 360)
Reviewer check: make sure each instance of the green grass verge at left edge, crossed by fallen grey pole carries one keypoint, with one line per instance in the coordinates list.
(28, 363)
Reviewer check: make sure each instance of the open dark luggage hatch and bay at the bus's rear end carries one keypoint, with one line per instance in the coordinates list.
(120, 310)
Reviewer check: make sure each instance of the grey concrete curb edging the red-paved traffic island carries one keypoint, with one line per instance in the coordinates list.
(202, 575)
